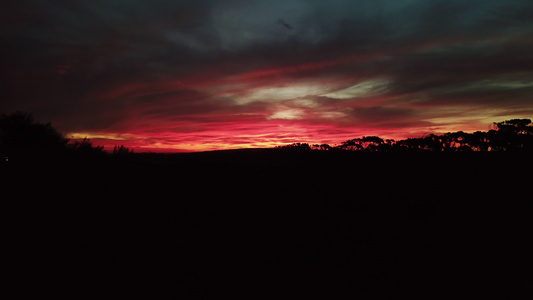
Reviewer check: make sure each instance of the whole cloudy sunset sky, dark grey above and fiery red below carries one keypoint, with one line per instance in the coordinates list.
(162, 75)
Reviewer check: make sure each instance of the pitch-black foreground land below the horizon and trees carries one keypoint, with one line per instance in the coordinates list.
(268, 224)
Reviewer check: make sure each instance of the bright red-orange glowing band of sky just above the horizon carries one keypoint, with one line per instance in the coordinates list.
(279, 133)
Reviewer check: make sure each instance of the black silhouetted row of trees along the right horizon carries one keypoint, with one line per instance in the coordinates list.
(510, 135)
